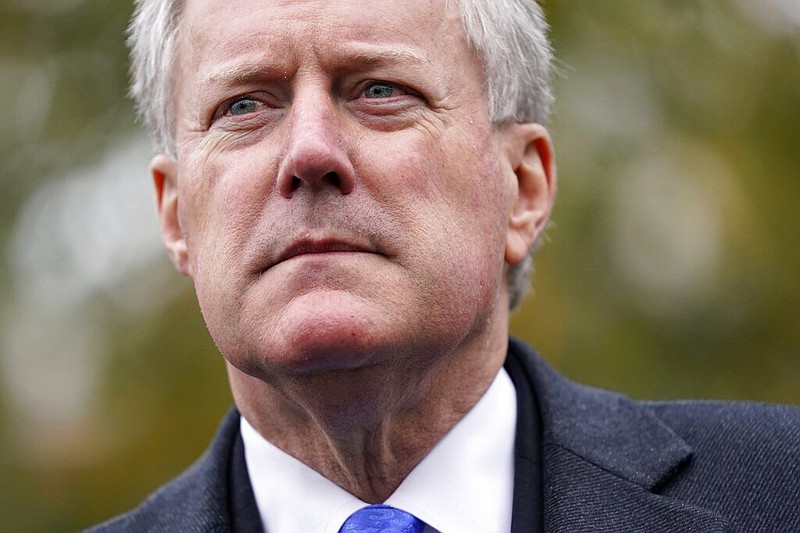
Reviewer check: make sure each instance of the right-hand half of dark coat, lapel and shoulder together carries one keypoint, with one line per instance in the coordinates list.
(737, 461)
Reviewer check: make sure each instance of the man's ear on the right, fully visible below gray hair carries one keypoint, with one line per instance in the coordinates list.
(533, 185)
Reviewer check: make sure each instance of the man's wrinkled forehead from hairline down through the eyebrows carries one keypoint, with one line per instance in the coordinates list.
(228, 44)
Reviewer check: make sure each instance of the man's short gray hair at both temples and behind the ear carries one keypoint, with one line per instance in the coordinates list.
(509, 36)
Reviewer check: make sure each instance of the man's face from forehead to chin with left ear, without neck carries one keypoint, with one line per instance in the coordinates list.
(341, 195)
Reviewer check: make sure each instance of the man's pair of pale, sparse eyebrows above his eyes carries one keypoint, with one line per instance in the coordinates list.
(353, 58)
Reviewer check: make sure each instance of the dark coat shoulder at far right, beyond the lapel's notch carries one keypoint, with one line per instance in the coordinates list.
(744, 462)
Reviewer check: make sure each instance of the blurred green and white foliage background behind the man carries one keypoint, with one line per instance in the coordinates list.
(673, 267)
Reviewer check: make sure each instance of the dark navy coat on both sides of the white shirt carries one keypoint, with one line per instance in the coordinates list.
(602, 463)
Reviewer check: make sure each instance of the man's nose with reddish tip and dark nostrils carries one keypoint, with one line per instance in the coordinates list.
(315, 157)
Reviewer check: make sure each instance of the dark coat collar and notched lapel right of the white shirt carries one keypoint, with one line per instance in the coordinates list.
(602, 458)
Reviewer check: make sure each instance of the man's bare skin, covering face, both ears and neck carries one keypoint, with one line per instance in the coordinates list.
(347, 214)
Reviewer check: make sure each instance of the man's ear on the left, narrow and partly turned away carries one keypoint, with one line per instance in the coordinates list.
(165, 179)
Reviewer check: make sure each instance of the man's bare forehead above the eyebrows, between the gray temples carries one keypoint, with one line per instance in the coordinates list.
(281, 30)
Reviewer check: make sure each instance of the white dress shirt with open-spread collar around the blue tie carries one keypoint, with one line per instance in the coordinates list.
(464, 485)
